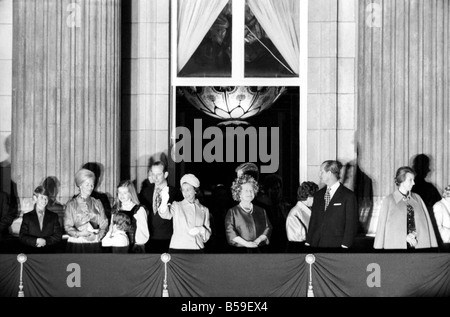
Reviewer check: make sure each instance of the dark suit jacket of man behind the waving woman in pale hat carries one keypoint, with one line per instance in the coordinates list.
(160, 229)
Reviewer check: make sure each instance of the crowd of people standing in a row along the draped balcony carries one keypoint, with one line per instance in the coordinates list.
(249, 217)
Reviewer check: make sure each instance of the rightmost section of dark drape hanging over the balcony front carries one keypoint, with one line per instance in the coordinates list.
(400, 275)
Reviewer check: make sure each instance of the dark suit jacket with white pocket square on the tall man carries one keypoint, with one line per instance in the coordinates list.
(338, 224)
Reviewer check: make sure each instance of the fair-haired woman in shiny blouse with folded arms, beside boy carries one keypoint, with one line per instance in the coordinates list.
(84, 218)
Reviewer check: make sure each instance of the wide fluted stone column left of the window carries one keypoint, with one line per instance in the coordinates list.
(66, 92)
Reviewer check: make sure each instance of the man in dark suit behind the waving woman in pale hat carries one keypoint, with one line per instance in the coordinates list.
(150, 196)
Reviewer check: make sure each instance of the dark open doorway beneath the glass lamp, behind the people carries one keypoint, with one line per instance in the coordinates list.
(284, 114)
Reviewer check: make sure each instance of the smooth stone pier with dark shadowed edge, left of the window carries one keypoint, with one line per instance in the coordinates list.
(146, 87)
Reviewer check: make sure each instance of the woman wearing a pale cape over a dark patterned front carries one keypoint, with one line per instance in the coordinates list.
(404, 222)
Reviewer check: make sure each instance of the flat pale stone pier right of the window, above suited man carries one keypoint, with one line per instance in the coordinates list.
(322, 85)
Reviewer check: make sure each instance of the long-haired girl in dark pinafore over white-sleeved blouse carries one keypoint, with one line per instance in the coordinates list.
(127, 203)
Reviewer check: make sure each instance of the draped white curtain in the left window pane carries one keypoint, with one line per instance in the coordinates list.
(195, 18)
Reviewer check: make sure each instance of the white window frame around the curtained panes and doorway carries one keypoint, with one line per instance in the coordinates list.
(237, 74)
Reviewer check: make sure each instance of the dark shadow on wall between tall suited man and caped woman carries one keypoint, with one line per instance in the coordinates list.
(362, 186)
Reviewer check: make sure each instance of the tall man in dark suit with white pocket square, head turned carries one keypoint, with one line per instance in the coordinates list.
(334, 214)
